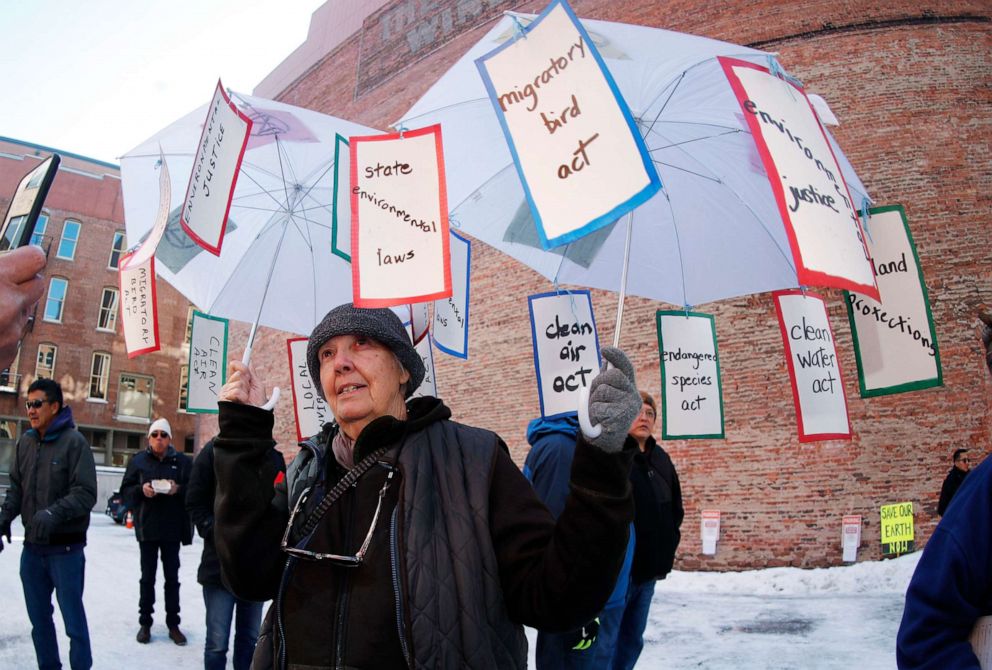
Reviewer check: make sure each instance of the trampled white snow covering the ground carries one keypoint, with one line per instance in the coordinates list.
(779, 618)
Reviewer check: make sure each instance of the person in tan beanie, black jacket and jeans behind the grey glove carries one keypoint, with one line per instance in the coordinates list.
(658, 517)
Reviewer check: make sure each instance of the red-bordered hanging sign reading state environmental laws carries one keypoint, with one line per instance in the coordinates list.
(399, 212)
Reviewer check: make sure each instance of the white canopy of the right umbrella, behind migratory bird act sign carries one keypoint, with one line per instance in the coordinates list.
(713, 231)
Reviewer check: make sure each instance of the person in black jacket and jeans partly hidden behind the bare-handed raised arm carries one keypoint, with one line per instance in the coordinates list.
(220, 603)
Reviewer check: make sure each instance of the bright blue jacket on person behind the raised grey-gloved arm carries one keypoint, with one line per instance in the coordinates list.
(549, 467)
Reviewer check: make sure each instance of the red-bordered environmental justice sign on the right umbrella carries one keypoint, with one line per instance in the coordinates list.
(816, 207)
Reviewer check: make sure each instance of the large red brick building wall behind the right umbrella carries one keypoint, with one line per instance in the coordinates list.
(911, 87)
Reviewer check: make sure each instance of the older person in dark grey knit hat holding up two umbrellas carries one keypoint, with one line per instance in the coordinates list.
(401, 538)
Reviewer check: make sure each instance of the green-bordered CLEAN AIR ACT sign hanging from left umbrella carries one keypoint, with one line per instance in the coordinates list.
(207, 362)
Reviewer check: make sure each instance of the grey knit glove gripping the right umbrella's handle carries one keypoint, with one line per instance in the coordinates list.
(613, 401)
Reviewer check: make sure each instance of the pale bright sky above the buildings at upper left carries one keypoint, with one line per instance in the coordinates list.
(97, 77)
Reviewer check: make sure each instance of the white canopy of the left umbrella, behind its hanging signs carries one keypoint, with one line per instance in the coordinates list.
(276, 267)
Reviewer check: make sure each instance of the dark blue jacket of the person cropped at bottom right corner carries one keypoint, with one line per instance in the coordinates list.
(952, 585)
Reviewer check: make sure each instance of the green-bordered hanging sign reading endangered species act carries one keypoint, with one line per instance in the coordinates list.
(692, 400)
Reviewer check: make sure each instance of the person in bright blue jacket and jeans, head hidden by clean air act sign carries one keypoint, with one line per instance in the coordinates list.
(548, 467)
